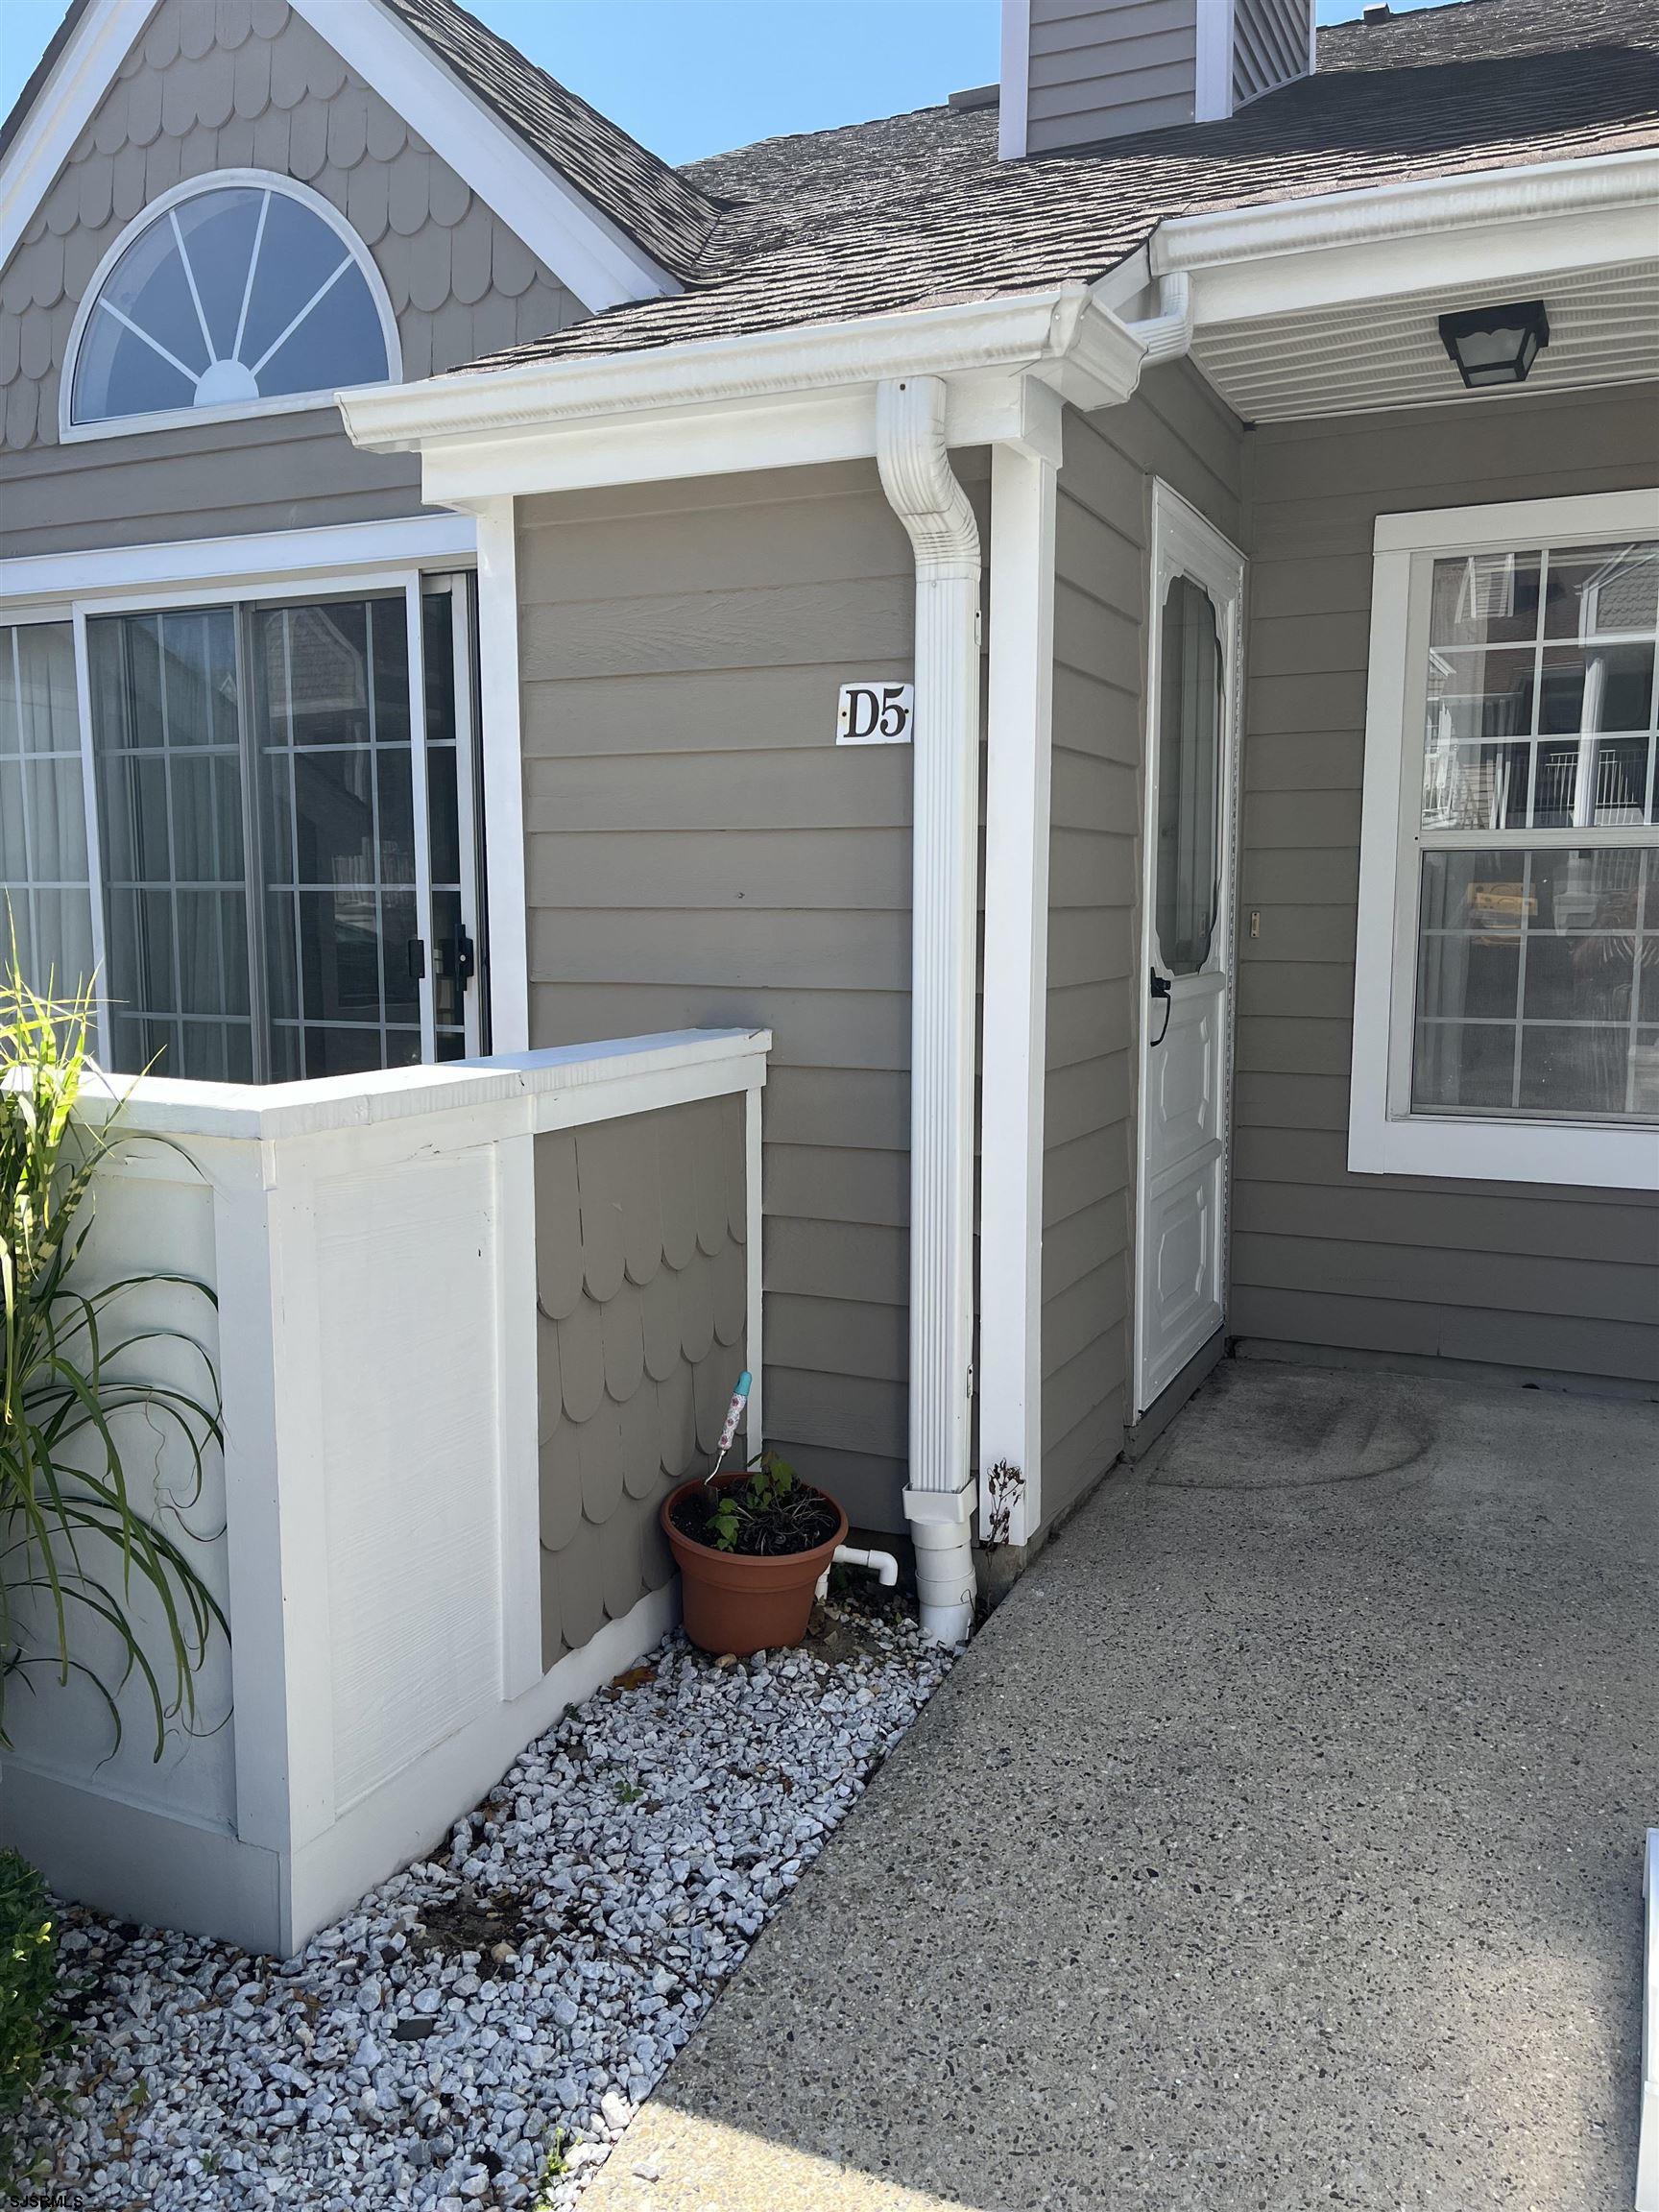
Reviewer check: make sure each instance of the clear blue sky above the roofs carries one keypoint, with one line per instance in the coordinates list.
(702, 76)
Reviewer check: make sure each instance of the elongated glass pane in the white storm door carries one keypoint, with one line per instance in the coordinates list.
(1189, 780)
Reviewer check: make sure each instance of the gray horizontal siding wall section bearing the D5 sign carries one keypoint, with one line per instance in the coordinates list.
(702, 853)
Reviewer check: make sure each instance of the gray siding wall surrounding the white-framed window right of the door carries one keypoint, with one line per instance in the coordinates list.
(1534, 1277)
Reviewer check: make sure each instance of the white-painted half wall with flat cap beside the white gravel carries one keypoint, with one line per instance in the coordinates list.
(373, 1523)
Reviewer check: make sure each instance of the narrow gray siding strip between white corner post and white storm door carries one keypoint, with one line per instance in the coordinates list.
(1178, 430)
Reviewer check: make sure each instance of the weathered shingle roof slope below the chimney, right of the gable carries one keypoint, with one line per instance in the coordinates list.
(917, 211)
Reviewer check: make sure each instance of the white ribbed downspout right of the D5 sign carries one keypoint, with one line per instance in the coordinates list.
(928, 499)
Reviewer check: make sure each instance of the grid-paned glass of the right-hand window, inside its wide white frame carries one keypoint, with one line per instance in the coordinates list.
(1538, 844)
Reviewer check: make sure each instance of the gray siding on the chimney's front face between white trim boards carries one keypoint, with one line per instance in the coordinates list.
(1105, 67)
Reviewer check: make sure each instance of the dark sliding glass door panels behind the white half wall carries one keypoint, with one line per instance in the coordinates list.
(264, 831)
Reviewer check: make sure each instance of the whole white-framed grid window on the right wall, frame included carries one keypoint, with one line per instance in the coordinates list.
(1507, 1003)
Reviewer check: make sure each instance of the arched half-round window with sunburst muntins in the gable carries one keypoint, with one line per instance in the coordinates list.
(236, 293)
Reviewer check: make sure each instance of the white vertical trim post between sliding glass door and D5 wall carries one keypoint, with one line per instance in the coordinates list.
(503, 775)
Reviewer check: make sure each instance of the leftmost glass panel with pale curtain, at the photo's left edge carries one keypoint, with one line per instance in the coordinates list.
(45, 886)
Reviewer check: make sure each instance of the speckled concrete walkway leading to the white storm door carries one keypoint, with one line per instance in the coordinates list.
(1277, 1846)
